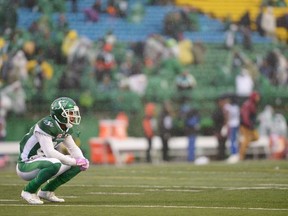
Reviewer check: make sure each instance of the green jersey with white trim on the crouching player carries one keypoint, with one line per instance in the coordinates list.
(29, 145)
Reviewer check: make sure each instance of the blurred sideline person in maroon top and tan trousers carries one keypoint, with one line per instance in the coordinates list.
(248, 117)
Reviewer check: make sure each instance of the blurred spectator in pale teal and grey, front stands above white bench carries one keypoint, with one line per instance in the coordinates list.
(185, 83)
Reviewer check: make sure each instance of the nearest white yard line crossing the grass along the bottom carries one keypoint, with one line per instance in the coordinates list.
(146, 206)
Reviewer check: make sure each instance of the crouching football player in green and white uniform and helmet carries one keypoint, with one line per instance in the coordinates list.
(40, 163)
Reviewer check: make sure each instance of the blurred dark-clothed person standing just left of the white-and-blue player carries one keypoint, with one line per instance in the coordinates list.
(220, 127)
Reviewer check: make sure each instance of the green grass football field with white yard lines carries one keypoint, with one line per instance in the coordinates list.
(247, 188)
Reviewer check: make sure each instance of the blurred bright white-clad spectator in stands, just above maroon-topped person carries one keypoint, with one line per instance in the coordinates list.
(244, 85)
